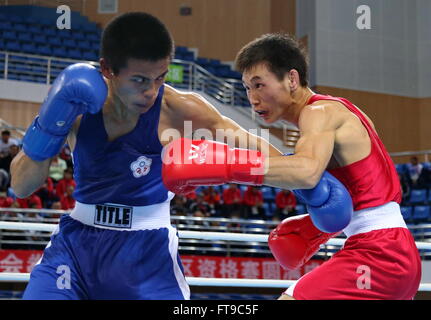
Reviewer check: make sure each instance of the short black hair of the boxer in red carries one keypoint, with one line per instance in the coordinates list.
(280, 52)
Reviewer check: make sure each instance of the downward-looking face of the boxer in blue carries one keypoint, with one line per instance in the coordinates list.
(137, 84)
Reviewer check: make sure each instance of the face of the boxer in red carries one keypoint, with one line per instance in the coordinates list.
(268, 96)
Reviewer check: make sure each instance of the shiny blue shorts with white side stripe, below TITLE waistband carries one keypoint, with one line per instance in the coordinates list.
(87, 262)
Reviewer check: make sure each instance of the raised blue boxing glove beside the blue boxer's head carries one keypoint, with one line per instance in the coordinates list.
(78, 89)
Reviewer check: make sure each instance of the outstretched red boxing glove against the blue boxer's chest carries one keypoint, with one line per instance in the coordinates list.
(188, 163)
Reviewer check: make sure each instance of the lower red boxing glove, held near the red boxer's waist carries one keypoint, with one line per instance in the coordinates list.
(296, 240)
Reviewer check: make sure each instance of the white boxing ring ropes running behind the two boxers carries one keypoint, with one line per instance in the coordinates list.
(194, 281)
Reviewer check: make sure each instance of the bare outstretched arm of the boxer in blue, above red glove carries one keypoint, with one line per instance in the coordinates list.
(203, 115)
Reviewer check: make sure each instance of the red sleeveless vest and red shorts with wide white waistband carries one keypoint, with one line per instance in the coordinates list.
(379, 260)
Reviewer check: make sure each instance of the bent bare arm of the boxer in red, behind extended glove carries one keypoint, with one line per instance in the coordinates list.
(313, 151)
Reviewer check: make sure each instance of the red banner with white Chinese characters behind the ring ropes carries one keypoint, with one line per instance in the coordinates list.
(194, 266)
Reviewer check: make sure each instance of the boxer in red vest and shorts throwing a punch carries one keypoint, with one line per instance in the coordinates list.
(380, 259)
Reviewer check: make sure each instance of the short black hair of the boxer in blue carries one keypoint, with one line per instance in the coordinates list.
(137, 35)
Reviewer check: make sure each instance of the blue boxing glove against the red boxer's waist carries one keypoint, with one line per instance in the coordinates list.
(329, 204)
